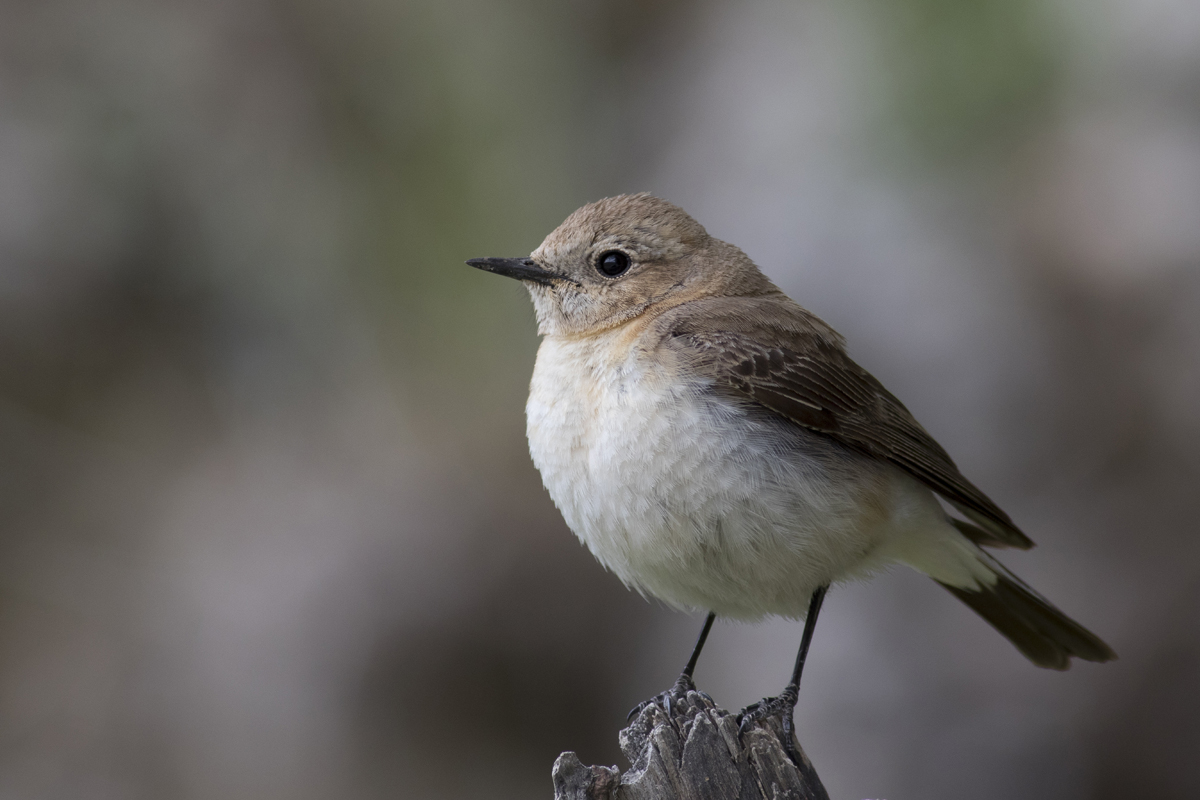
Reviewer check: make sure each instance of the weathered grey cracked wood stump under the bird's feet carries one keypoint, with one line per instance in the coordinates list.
(693, 754)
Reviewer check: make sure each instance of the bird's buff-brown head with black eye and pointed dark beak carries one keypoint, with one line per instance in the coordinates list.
(620, 258)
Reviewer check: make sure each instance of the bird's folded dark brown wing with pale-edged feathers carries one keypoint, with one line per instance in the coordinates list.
(799, 370)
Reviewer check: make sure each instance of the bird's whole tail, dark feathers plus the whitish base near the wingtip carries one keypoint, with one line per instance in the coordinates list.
(1043, 634)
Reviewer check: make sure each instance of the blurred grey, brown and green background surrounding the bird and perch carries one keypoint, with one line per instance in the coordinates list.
(268, 524)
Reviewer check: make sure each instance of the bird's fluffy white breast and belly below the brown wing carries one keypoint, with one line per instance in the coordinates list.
(699, 502)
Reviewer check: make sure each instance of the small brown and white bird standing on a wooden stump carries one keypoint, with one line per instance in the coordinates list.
(715, 447)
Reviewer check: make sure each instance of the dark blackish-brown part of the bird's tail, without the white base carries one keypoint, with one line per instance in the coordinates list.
(1042, 633)
